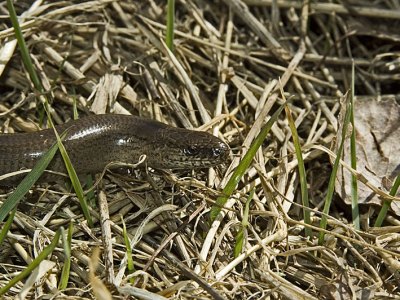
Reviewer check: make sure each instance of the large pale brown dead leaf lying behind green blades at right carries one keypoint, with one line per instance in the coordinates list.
(377, 125)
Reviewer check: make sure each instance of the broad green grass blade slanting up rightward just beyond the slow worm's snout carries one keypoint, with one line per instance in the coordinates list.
(243, 165)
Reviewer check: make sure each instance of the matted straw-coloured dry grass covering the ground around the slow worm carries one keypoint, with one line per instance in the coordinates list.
(108, 56)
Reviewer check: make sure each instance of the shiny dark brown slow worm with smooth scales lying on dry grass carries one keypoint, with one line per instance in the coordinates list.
(94, 142)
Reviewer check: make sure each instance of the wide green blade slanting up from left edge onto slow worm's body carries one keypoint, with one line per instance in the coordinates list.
(27, 183)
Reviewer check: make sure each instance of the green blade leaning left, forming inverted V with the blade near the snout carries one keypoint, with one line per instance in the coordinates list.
(302, 173)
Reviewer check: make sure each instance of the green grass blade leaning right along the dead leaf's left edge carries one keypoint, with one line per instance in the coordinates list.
(331, 185)
